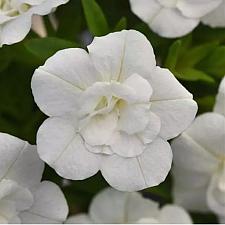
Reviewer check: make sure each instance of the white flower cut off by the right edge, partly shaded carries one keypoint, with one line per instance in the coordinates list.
(199, 161)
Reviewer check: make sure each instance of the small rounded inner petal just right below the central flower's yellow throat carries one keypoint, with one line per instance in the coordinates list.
(134, 118)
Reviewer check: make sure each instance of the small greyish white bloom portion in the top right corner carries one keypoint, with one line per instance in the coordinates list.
(216, 18)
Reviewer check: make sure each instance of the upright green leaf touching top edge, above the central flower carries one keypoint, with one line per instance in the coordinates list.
(95, 18)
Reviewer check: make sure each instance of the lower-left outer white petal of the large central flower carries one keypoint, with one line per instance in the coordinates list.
(63, 149)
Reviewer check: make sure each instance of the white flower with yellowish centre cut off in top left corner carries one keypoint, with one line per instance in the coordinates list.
(16, 17)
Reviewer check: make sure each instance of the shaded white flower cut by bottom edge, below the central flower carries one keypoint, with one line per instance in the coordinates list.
(112, 206)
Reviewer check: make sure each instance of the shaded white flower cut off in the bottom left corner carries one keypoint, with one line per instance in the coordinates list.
(23, 199)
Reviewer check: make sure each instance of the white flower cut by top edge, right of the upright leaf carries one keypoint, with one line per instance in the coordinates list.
(172, 18)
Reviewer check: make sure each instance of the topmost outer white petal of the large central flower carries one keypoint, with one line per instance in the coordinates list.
(120, 54)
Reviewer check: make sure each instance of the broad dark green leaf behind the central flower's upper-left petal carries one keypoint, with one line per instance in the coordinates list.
(43, 48)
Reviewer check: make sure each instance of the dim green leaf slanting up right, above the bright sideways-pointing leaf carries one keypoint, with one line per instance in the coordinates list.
(196, 54)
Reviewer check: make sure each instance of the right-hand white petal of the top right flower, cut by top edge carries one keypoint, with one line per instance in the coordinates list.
(197, 9)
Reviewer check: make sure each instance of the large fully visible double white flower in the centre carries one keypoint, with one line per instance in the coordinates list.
(112, 110)
